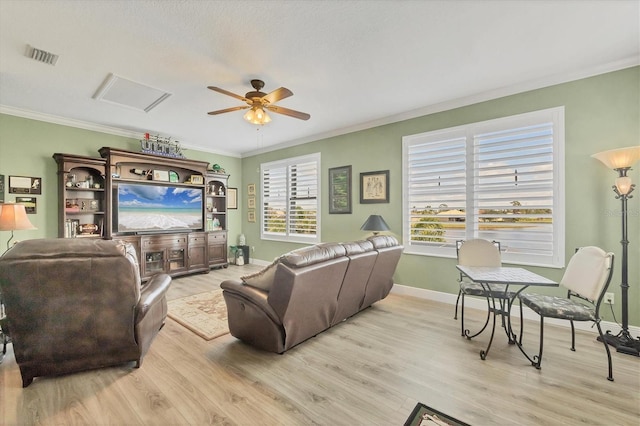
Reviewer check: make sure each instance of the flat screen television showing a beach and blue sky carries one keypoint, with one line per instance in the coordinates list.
(154, 207)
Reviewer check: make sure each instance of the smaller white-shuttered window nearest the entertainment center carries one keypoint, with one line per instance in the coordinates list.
(290, 203)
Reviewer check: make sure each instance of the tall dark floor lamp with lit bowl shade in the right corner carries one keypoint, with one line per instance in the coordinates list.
(621, 161)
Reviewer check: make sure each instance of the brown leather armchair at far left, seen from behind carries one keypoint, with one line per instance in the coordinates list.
(78, 304)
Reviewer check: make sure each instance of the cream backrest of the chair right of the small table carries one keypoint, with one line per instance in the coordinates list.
(588, 272)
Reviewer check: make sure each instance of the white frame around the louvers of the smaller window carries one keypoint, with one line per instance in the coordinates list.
(287, 163)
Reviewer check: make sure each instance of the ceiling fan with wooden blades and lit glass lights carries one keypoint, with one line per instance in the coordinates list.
(258, 103)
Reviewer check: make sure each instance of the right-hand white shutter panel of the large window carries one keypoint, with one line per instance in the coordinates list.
(513, 173)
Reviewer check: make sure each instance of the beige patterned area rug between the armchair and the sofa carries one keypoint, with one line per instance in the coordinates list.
(205, 314)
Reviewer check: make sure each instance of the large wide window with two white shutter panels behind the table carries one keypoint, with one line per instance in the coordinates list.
(499, 180)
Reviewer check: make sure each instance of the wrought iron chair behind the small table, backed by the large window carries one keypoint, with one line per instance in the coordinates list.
(480, 252)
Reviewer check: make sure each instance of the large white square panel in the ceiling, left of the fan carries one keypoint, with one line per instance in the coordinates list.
(127, 93)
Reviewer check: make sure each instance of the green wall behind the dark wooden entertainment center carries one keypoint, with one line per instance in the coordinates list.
(26, 149)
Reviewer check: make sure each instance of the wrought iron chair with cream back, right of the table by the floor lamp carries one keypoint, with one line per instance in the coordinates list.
(586, 278)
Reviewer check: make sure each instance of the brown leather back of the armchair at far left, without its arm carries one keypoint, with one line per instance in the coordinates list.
(69, 298)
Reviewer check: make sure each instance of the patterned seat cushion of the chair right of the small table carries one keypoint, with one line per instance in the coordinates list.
(558, 307)
